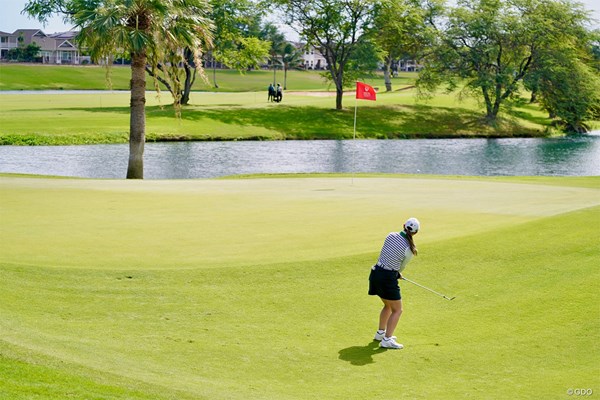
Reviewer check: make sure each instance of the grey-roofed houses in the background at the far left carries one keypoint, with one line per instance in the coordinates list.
(57, 48)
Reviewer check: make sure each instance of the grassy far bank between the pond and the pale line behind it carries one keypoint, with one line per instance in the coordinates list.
(104, 118)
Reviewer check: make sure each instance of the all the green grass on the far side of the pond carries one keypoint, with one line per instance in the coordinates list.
(238, 110)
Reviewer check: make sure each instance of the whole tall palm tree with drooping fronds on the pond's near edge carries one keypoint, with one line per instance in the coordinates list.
(154, 32)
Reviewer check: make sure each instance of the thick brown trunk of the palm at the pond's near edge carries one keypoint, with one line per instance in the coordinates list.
(137, 119)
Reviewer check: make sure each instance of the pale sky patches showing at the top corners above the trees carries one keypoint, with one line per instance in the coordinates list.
(11, 18)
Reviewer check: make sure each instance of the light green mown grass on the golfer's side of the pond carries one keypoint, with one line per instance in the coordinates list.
(256, 288)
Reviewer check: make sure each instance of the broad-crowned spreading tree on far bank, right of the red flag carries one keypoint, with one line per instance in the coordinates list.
(489, 47)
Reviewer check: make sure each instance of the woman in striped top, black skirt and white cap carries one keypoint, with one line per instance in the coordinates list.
(398, 249)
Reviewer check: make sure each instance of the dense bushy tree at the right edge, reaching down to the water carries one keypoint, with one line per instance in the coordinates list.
(563, 76)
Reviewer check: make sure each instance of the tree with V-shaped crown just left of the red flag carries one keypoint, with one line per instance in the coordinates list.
(334, 27)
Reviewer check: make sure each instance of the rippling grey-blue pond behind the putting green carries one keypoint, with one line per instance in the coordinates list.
(570, 156)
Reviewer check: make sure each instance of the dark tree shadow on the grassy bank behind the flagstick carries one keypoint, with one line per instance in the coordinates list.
(382, 122)
